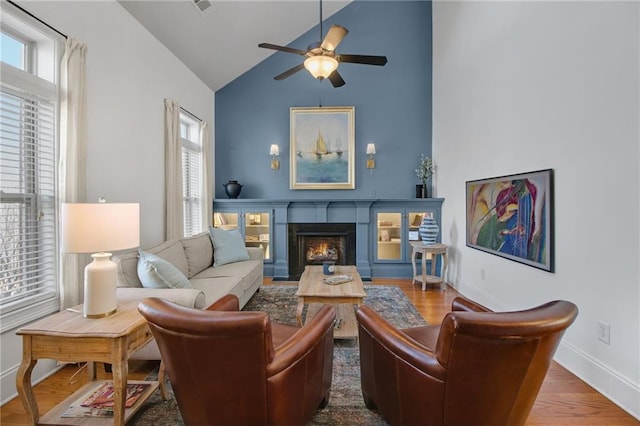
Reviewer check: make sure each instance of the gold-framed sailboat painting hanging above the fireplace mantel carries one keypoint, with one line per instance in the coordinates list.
(322, 148)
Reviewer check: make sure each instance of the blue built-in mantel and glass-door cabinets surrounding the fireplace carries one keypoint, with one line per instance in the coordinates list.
(384, 228)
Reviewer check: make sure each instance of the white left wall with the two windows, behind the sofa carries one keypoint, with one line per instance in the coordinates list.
(129, 75)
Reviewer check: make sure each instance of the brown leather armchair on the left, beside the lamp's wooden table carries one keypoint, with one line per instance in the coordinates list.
(238, 368)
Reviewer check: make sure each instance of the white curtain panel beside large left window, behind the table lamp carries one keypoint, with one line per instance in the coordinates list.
(73, 156)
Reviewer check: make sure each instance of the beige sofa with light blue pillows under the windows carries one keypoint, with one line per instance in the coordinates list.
(194, 257)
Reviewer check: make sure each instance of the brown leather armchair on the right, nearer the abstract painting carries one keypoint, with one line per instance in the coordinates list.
(477, 368)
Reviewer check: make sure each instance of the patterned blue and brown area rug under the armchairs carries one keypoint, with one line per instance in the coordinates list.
(346, 406)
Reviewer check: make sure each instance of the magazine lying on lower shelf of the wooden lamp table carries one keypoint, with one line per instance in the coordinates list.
(99, 402)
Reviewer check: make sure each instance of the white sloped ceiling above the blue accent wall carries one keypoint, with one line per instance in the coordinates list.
(222, 43)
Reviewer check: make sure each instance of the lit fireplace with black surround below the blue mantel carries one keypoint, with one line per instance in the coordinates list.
(314, 243)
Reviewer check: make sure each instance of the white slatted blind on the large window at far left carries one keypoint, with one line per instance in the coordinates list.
(27, 196)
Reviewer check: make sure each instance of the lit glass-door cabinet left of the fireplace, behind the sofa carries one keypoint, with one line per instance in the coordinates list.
(255, 227)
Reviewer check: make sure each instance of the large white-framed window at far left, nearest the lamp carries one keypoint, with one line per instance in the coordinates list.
(28, 138)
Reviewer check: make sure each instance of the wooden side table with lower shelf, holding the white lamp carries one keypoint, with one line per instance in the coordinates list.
(69, 337)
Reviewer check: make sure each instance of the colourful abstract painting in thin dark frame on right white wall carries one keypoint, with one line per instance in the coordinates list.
(512, 216)
